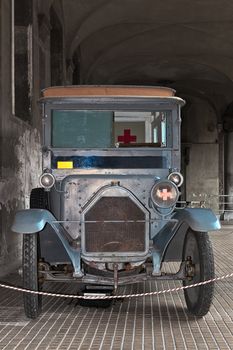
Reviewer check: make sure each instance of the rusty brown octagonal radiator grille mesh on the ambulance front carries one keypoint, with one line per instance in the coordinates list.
(111, 236)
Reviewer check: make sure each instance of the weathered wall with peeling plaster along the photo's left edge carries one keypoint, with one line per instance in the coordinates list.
(20, 135)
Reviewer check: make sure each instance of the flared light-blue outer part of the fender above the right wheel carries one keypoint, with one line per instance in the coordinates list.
(199, 219)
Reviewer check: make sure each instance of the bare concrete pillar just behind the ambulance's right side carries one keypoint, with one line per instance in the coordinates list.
(200, 144)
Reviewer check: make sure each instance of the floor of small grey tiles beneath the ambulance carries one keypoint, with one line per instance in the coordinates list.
(154, 322)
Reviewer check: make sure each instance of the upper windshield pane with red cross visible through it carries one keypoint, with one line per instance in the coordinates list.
(109, 129)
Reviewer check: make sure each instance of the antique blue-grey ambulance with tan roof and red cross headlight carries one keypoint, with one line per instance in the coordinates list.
(105, 211)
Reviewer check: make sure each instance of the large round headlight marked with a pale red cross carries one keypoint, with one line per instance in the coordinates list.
(164, 194)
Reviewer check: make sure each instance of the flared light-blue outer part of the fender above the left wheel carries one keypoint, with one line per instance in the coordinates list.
(31, 220)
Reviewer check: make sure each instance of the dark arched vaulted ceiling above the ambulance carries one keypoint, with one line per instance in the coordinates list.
(185, 44)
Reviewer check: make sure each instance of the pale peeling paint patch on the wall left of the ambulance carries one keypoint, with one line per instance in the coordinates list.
(24, 167)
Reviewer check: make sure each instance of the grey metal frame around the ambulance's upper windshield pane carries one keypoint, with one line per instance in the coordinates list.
(113, 104)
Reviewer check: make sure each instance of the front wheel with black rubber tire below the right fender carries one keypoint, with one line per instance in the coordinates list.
(199, 299)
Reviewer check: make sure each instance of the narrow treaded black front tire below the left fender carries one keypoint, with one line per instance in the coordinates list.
(32, 302)
